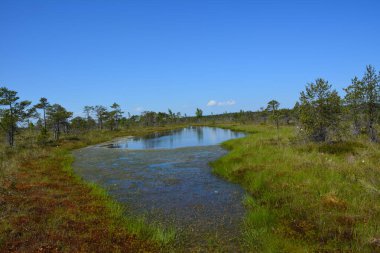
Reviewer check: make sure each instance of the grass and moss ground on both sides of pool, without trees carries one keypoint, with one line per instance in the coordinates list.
(300, 197)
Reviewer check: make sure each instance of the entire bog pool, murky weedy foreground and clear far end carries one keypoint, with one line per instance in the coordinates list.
(170, 185)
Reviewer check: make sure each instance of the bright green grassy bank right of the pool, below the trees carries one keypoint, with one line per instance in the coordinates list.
(305, 197)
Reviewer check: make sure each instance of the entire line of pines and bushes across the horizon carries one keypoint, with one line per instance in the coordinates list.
(320, 114)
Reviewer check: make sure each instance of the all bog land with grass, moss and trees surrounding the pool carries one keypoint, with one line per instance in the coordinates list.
(312, 178)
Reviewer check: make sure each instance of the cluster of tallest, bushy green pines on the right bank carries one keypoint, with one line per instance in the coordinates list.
(325, 116)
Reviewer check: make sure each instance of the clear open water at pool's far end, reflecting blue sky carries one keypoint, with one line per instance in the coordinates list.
(185, 137)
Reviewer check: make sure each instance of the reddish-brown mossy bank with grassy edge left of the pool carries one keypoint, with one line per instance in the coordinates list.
(46, 207)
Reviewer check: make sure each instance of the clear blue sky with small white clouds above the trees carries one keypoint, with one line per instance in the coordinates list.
(155, 55)
